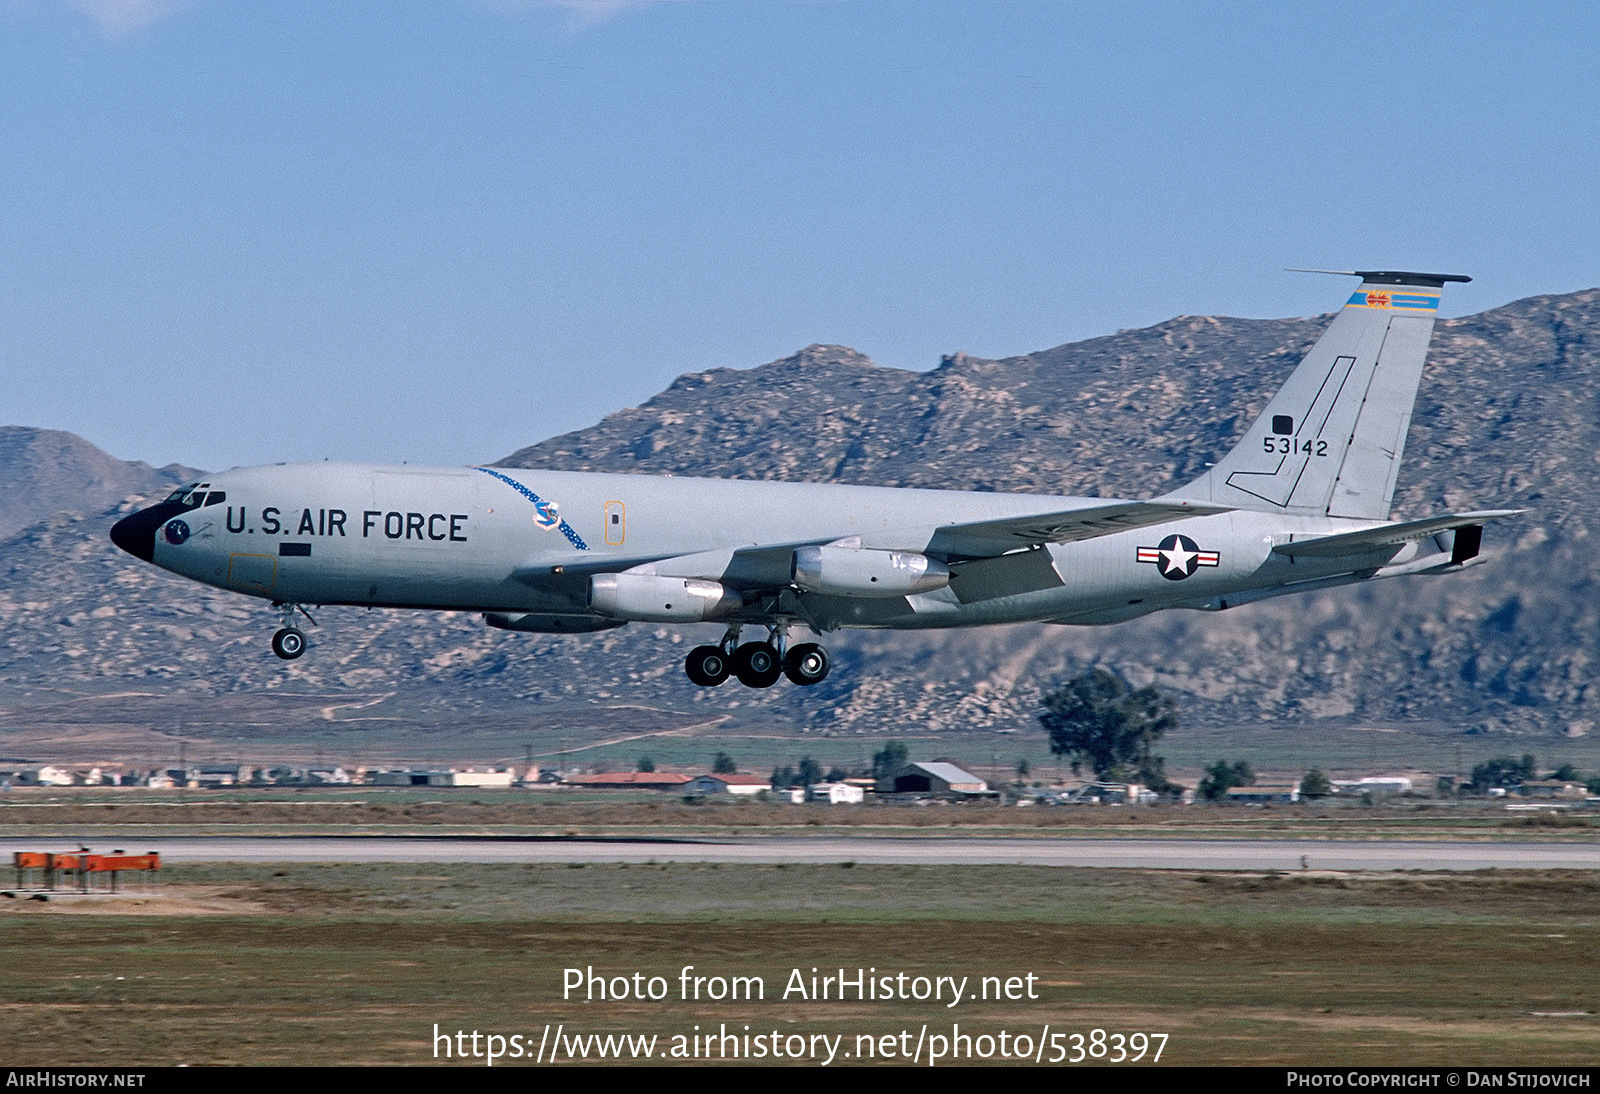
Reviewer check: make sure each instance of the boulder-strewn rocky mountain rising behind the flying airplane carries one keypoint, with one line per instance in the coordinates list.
(1508, 418)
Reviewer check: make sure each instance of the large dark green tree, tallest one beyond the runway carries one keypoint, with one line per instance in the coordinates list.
(1100, 719)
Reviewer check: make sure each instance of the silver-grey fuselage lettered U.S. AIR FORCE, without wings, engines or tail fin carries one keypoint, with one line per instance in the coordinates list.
(522, 541)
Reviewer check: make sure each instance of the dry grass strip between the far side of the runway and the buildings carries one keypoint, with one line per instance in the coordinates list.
(82, 815)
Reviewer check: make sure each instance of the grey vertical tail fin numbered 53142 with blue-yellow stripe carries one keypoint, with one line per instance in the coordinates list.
(1330, 441)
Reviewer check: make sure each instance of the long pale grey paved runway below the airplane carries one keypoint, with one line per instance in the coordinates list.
(1129, 855)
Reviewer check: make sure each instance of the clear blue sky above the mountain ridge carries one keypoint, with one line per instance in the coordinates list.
(244, 233)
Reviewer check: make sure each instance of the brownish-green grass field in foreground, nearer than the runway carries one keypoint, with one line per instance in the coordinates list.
(359, 964)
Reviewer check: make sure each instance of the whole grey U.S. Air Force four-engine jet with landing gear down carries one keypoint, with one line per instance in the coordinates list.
(1302, 503)
